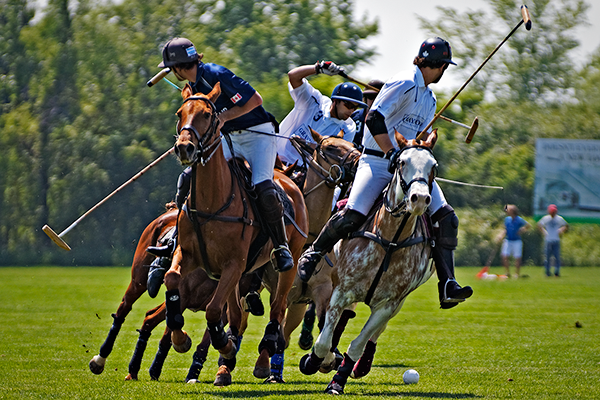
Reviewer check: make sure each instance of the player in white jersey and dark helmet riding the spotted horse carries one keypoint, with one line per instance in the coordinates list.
(406, 104)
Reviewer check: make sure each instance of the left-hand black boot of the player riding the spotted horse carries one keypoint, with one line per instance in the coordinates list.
(338, 227)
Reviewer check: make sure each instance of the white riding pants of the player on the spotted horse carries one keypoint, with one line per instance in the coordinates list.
(372, 177)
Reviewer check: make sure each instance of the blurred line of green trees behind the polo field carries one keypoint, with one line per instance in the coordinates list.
(77, 120)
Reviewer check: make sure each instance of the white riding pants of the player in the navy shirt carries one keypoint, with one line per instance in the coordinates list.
(259, 150)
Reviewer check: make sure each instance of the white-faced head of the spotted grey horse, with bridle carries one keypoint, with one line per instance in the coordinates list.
(414, 169)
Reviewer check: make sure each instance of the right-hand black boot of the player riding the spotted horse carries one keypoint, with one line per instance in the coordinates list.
(451, 293)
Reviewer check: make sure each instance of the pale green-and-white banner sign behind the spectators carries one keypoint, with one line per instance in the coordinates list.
(567, 173)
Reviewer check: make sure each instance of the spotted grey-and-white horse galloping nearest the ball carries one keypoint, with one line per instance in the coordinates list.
(385, 261)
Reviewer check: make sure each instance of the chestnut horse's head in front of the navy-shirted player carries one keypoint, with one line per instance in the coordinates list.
(197, 135)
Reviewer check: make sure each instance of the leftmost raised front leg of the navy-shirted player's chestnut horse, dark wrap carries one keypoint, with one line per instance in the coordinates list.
(174, 310)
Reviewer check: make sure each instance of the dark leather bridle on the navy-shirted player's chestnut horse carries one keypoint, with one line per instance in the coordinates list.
(206, 147)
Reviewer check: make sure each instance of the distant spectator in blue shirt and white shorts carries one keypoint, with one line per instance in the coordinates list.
(512, 246)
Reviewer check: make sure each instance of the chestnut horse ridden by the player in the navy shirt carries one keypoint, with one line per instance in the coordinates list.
(217, 235)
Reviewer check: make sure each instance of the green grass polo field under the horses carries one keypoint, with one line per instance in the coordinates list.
(514, 339)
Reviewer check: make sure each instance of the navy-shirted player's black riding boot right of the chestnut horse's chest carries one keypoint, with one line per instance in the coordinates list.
(271, 210)
